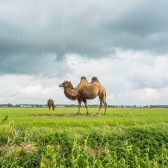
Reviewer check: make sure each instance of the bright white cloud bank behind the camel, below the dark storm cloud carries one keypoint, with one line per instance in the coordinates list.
(130, 78)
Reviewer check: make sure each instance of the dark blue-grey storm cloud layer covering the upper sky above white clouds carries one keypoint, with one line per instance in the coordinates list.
(29, 30)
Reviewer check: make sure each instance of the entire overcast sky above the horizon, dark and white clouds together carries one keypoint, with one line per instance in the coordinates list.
(44, 42)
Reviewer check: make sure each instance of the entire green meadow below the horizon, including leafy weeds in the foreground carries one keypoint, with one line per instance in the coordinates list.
(124, 137)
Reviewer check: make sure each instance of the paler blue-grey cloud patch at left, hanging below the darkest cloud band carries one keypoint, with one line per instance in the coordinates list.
(42, 65)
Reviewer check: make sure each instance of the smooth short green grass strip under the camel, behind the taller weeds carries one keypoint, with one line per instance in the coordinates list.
(115, 116)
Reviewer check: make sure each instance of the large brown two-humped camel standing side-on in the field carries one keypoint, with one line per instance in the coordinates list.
(85, 90)
